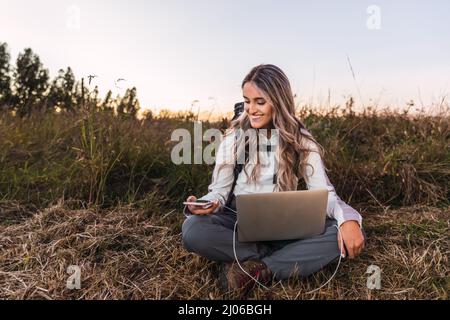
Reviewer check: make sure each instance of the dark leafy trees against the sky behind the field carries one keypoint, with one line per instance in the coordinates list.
(27, 86)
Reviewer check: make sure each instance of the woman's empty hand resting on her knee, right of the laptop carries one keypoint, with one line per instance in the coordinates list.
(353, 238)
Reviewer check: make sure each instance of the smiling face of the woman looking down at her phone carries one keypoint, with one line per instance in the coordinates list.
(257, 106)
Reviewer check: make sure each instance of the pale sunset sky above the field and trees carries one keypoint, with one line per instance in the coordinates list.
(178, 51)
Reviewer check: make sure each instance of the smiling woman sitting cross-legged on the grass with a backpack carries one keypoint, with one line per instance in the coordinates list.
(269, 104)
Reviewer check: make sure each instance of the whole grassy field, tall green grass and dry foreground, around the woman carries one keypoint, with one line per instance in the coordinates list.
(100, 192)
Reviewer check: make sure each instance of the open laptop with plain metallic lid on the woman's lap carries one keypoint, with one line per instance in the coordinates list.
(281, 215)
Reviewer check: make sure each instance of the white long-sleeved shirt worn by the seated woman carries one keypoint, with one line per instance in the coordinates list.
(222, 179)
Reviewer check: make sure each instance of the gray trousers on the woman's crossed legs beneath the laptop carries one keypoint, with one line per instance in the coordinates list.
(211, 236)
